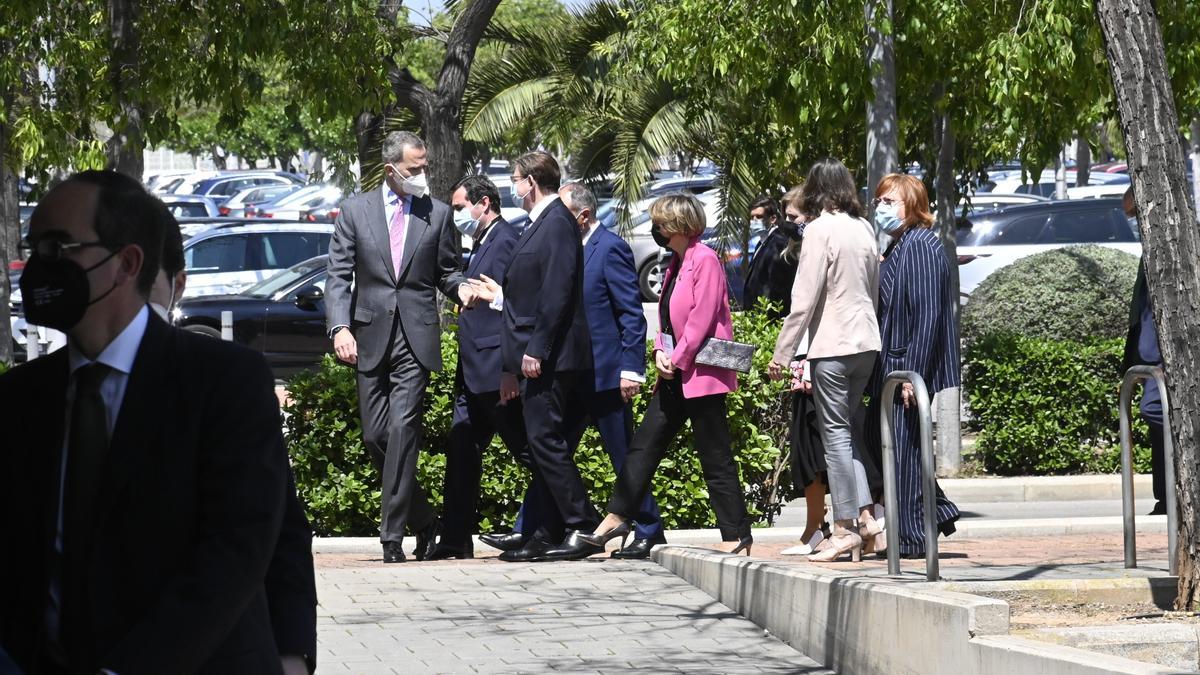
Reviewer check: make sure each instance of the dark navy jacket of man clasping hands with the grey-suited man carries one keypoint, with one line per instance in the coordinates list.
(544, 296)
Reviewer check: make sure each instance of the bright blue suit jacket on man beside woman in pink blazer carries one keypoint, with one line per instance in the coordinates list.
(614, 306)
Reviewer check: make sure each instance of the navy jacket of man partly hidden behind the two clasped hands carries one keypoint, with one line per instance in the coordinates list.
(479, 330)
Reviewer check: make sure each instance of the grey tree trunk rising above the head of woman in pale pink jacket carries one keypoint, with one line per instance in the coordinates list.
(883, 147)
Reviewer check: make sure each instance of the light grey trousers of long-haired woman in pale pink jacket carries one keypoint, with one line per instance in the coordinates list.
(838, 385)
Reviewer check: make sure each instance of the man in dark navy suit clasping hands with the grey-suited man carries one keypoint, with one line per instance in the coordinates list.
(545, 347)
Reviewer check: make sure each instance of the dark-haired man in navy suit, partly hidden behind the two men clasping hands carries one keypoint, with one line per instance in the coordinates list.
(482, 409)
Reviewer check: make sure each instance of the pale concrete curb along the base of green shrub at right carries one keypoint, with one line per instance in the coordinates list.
(1041, 488)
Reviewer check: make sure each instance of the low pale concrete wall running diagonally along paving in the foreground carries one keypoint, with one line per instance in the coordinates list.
(854, 624)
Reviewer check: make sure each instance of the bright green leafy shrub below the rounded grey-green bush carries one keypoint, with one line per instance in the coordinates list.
(1047, 407)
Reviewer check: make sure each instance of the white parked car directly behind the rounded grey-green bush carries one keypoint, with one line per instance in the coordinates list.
(989, 241)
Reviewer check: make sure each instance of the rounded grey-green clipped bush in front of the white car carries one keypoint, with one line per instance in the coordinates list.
(1075, 294)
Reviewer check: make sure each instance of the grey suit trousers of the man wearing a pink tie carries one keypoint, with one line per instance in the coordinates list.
(391, 405)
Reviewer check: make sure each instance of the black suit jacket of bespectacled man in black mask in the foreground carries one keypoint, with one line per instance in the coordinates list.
(187, 522)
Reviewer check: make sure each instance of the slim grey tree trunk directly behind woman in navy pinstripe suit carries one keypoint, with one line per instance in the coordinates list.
(950, 409)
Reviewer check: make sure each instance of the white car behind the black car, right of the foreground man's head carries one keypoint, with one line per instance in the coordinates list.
(231, 259)
